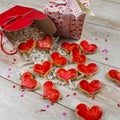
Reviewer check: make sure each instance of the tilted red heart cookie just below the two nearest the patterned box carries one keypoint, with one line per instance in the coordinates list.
(77, 57)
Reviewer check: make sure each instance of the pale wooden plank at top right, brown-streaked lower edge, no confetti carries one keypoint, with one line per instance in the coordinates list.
(106, 14)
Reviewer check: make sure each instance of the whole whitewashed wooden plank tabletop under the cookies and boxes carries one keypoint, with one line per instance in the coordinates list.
(103, 30)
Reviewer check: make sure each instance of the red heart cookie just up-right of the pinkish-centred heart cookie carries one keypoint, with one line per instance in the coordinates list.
(88, 70)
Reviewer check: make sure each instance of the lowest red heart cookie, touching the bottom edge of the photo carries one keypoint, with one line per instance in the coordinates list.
(85, 113)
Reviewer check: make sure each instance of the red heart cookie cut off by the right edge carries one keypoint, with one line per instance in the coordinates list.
(114, 75)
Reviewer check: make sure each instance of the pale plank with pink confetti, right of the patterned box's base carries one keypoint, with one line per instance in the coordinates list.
(107, 40)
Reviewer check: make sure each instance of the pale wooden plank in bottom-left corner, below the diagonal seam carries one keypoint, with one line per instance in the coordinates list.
(16, 104)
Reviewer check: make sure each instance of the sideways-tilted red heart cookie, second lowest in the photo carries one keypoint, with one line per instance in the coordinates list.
(50, 93)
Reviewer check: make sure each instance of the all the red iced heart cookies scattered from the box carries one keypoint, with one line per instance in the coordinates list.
(77, 53)
